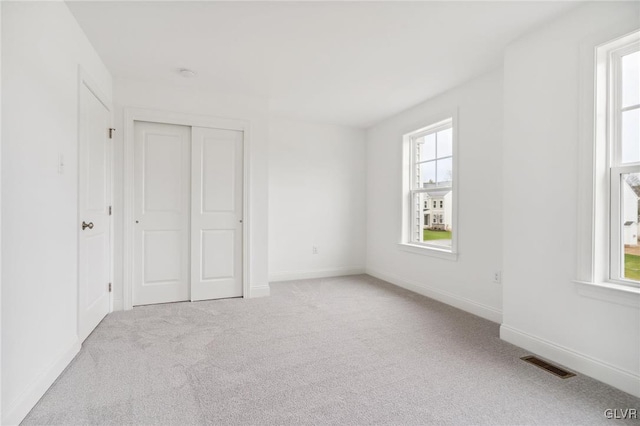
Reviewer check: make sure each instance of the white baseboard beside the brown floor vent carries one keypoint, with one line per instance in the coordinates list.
(579, 362)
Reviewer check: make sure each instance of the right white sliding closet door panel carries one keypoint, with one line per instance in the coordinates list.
(216, 213)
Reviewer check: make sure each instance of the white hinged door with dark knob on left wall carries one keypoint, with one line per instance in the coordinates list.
(93, 198)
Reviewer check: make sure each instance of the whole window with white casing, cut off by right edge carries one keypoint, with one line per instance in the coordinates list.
(609, 249)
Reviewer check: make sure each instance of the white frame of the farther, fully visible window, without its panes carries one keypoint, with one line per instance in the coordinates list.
(436, 123)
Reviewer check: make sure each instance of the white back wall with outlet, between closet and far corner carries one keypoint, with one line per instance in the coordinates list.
(317, 189)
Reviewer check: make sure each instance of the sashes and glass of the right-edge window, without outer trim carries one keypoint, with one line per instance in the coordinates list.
(623, 135)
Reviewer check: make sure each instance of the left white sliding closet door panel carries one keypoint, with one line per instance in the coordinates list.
(161, 213)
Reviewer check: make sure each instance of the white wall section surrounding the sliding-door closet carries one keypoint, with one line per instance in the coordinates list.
(185, 99)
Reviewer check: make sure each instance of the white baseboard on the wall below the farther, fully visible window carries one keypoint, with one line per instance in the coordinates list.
(484, 311)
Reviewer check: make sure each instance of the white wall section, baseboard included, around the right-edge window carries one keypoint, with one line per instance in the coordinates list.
(544, 311)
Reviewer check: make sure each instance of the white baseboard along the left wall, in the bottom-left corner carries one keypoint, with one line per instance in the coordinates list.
(20, 407)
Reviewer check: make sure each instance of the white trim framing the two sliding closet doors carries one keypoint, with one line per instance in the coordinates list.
(132, 115)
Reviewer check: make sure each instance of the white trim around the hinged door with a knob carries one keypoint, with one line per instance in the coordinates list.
(85, 79)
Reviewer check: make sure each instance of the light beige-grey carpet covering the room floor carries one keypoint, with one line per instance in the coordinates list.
(348, 351)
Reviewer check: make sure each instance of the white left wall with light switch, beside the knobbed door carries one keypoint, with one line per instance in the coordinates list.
(42, 46)
